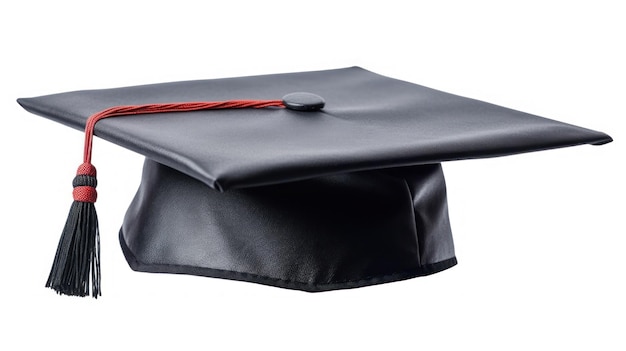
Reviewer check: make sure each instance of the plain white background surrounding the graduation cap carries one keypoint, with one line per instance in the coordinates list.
(540, 237)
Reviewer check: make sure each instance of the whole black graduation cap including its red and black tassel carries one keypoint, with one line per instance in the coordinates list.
(312, 181)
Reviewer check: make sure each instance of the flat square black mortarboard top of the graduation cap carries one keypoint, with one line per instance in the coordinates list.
(369, 122)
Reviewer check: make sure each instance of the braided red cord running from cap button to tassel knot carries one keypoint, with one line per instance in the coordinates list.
(170, 107)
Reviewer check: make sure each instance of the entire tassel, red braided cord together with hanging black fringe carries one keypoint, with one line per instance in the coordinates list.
(77, 261)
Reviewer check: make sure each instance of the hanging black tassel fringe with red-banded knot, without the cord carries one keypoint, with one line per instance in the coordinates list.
(77, 261)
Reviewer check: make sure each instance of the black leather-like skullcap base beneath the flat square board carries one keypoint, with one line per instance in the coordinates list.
(331, 232)
